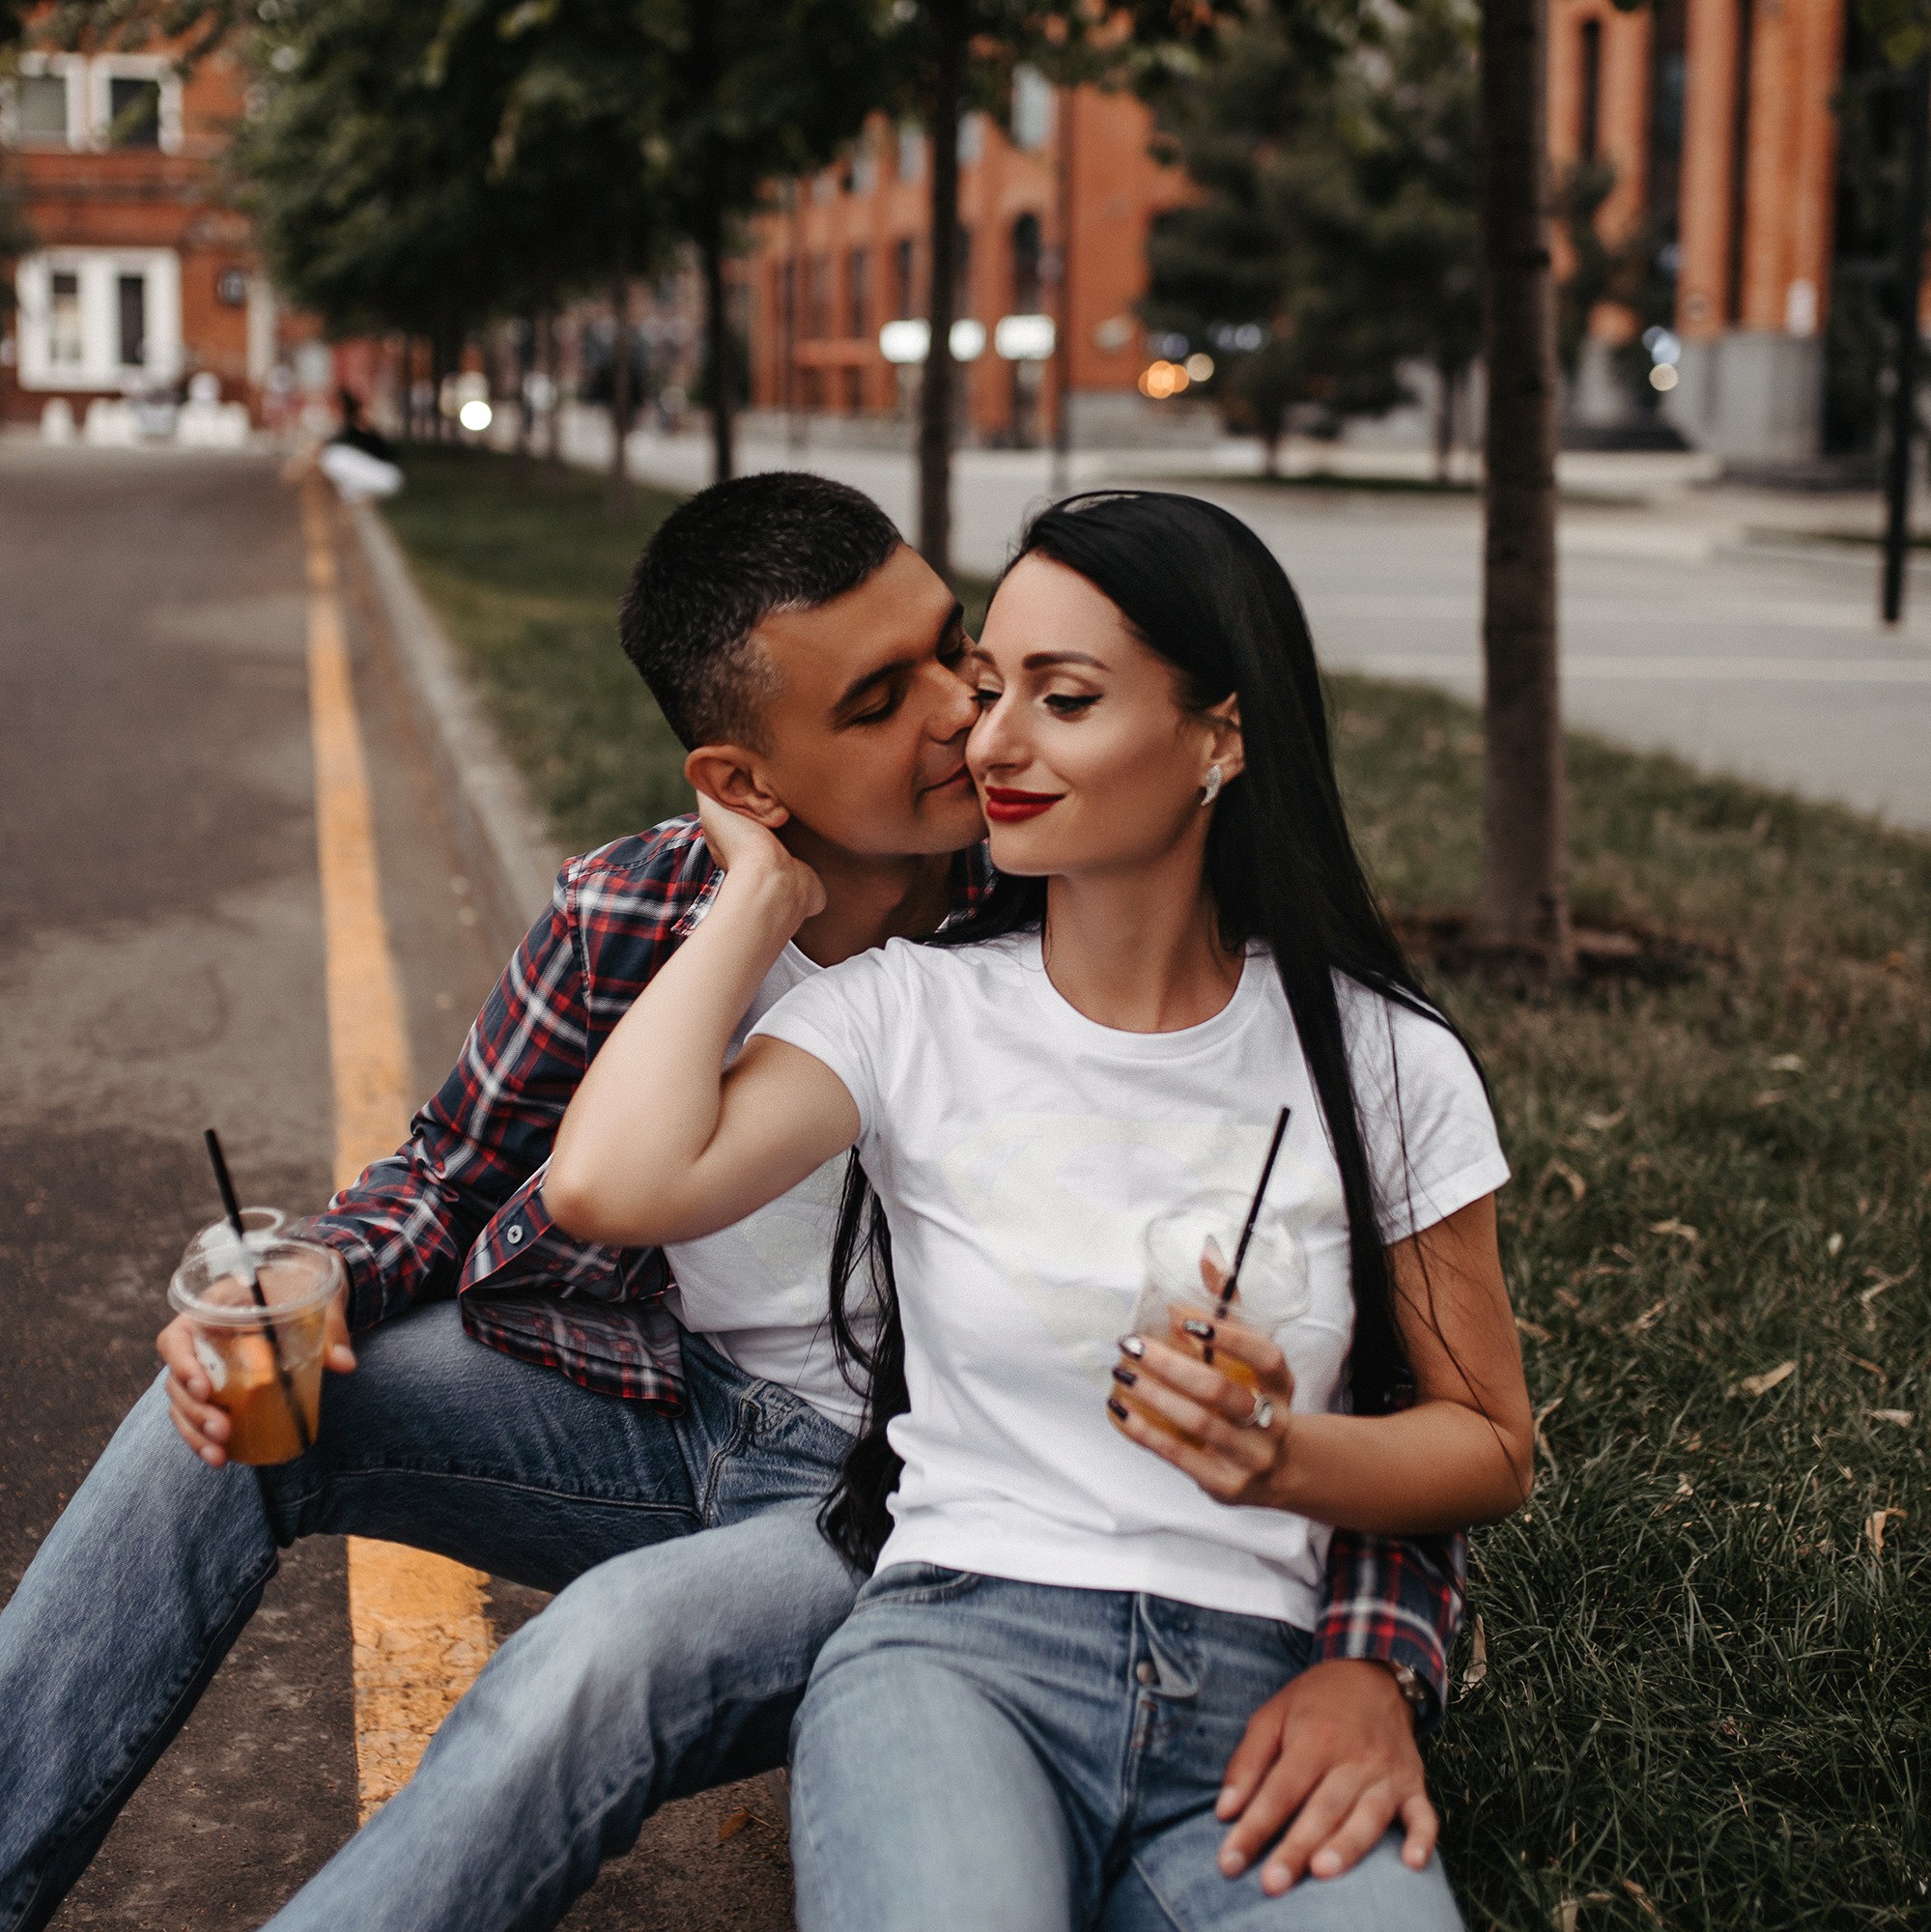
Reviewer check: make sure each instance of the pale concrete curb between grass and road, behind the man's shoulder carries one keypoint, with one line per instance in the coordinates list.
(497, 826)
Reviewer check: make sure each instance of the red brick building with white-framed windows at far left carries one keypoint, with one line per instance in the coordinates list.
(140, 275)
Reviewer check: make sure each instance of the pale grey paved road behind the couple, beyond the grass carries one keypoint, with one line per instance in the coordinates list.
(1702, 621)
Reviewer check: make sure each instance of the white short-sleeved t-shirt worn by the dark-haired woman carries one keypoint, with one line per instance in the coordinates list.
(1021, 1152)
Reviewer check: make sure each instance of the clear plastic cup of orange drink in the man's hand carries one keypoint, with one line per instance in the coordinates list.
(264, 1363)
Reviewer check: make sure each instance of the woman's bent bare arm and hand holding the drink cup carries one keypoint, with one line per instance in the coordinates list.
(1463, 1454)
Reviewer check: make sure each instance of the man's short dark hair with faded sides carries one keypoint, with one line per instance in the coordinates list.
(721, 565)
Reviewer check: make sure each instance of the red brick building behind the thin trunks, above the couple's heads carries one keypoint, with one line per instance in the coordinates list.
(847, 254)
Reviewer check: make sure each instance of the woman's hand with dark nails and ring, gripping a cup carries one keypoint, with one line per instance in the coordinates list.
(1235, 1442)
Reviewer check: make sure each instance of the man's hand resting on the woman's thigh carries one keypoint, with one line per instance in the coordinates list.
(1335, 1753)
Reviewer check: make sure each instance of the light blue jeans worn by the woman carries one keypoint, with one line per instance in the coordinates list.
(1013, 1757)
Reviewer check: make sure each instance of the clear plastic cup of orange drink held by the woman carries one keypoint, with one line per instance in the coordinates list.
(1190, 1255)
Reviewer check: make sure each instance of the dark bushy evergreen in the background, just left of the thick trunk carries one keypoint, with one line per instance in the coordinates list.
(1335, 237)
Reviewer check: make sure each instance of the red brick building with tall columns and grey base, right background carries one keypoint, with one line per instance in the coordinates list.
(1725, 123)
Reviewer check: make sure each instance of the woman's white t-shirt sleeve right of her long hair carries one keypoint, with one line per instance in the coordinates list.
(1426, 1120)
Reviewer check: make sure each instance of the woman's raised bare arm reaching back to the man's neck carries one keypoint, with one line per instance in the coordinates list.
(659, 1143)
